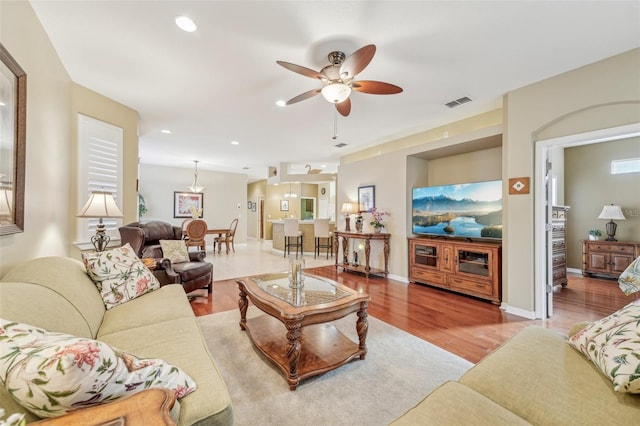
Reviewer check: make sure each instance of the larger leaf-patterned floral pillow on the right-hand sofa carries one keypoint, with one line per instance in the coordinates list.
(613, 345)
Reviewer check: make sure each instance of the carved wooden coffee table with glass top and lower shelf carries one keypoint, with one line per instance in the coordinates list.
(295, 333)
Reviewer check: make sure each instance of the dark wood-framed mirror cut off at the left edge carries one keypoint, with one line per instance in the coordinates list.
(13, 124)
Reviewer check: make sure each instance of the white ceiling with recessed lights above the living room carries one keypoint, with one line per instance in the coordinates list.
(220, 84)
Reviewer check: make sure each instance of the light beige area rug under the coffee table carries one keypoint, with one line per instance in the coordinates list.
(398, 372)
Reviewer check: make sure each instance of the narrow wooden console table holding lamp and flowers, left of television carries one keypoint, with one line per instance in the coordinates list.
(367, 237)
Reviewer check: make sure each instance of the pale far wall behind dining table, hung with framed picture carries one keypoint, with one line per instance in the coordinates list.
(225, 196)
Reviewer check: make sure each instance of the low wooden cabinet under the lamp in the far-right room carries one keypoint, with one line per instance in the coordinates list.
(609, 258)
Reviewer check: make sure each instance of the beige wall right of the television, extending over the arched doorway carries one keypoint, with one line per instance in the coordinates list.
(601, 95)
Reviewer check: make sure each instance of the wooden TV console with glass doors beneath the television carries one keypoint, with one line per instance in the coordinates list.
(472, 268)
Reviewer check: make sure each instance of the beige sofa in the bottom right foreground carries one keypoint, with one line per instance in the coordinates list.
(534, 378)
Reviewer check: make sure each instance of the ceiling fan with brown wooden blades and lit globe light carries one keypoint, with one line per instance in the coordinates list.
(338, 79)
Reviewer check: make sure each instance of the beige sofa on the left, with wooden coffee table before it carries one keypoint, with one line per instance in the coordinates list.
(56, 294)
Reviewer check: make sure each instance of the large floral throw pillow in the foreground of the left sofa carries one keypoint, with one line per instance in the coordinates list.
(51, 374)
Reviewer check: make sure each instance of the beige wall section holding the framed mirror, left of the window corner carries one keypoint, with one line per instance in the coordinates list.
(47, 180)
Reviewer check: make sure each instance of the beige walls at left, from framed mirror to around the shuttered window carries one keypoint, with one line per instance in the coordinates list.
(53, 102)
